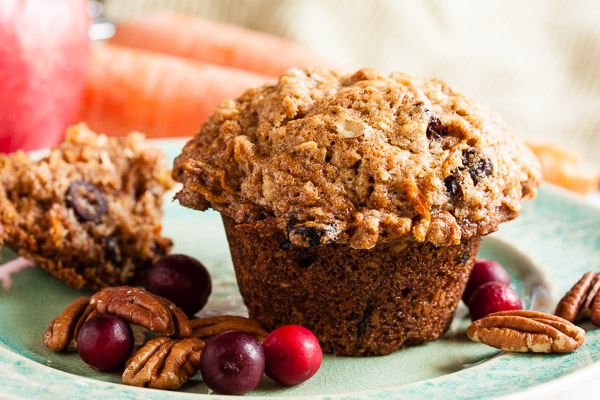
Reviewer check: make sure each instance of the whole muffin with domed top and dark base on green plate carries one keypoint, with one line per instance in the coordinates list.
(354, 205)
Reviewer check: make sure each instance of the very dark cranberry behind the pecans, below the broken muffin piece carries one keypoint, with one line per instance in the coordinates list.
(181, 279)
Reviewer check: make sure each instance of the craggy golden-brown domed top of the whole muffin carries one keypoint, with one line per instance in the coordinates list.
(358, 159)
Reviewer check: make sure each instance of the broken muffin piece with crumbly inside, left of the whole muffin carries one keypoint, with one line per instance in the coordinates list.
(90, 211)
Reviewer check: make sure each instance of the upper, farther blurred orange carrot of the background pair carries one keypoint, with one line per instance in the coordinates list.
(209, 41)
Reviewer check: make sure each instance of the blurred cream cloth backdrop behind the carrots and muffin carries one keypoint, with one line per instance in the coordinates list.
(535, 62)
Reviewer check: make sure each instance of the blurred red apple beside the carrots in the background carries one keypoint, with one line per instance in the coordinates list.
(44, 50)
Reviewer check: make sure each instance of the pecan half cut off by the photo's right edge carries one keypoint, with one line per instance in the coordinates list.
(582, 300)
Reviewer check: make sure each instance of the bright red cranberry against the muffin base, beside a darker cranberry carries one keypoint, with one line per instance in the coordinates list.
(293, 354)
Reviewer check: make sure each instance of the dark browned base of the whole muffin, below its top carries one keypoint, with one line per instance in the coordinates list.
(357, 302)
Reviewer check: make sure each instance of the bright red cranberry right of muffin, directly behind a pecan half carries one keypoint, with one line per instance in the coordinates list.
(493, 297)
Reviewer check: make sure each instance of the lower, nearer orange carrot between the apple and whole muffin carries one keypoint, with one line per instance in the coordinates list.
(157, 94)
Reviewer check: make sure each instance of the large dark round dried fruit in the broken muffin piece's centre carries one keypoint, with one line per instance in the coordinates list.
(87, 200)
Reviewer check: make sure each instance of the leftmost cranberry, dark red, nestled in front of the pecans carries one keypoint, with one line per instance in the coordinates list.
(105, 342)
